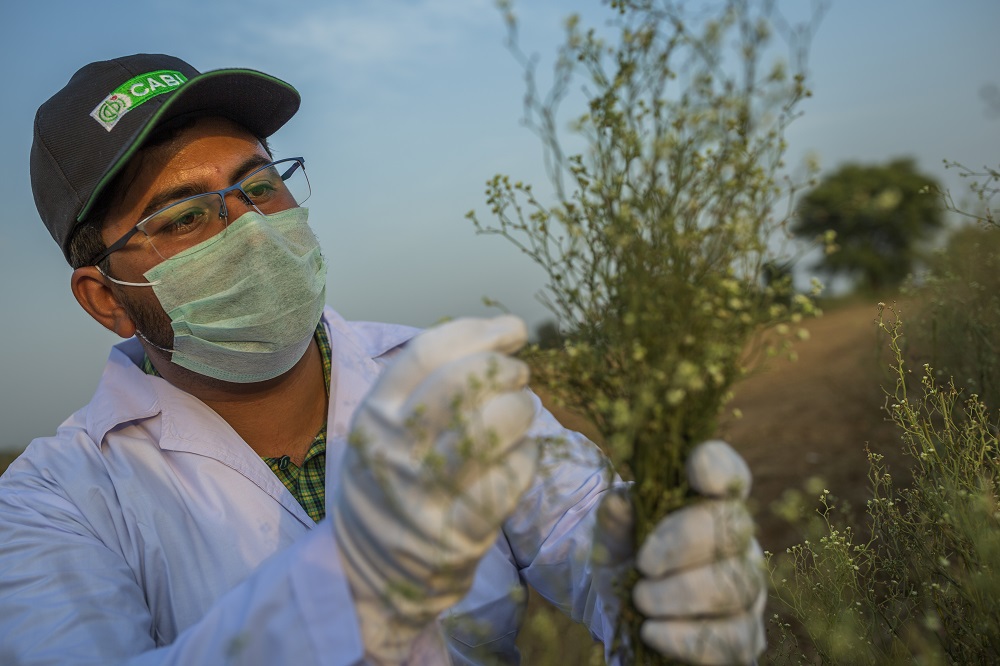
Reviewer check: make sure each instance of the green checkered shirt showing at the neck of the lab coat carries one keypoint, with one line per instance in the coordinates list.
(308, 482)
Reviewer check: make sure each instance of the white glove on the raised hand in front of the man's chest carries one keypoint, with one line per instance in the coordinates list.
(437, 461)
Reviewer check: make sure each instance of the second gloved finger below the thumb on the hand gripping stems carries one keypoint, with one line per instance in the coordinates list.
(725, 587)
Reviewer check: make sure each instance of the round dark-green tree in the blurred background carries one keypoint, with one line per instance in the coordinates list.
(879, 214)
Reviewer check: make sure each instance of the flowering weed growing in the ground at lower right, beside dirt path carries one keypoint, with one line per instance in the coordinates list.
(919, 583)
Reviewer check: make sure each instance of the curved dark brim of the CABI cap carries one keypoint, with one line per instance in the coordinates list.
(257, 101)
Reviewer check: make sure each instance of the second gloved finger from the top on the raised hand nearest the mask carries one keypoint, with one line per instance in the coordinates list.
(461, 386)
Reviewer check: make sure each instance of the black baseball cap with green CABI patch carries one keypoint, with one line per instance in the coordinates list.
(87, 132)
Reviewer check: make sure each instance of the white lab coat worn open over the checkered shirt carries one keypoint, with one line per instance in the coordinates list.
(146, 531)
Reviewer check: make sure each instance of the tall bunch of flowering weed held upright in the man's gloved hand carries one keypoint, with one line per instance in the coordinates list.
(660, 230)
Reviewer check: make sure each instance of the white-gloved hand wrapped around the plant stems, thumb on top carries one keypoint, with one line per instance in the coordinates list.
(702, 588)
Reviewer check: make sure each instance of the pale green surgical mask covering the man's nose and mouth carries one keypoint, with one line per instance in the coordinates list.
(245, 309)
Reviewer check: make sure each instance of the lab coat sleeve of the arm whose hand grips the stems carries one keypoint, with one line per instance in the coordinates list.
(551, 532)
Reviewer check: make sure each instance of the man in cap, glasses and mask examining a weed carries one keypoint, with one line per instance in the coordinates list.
(257, 480)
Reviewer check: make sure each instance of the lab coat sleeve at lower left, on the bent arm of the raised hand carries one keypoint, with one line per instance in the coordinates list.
(67, 598)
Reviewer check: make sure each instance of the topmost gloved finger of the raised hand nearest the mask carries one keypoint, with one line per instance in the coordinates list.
(440, 345)
